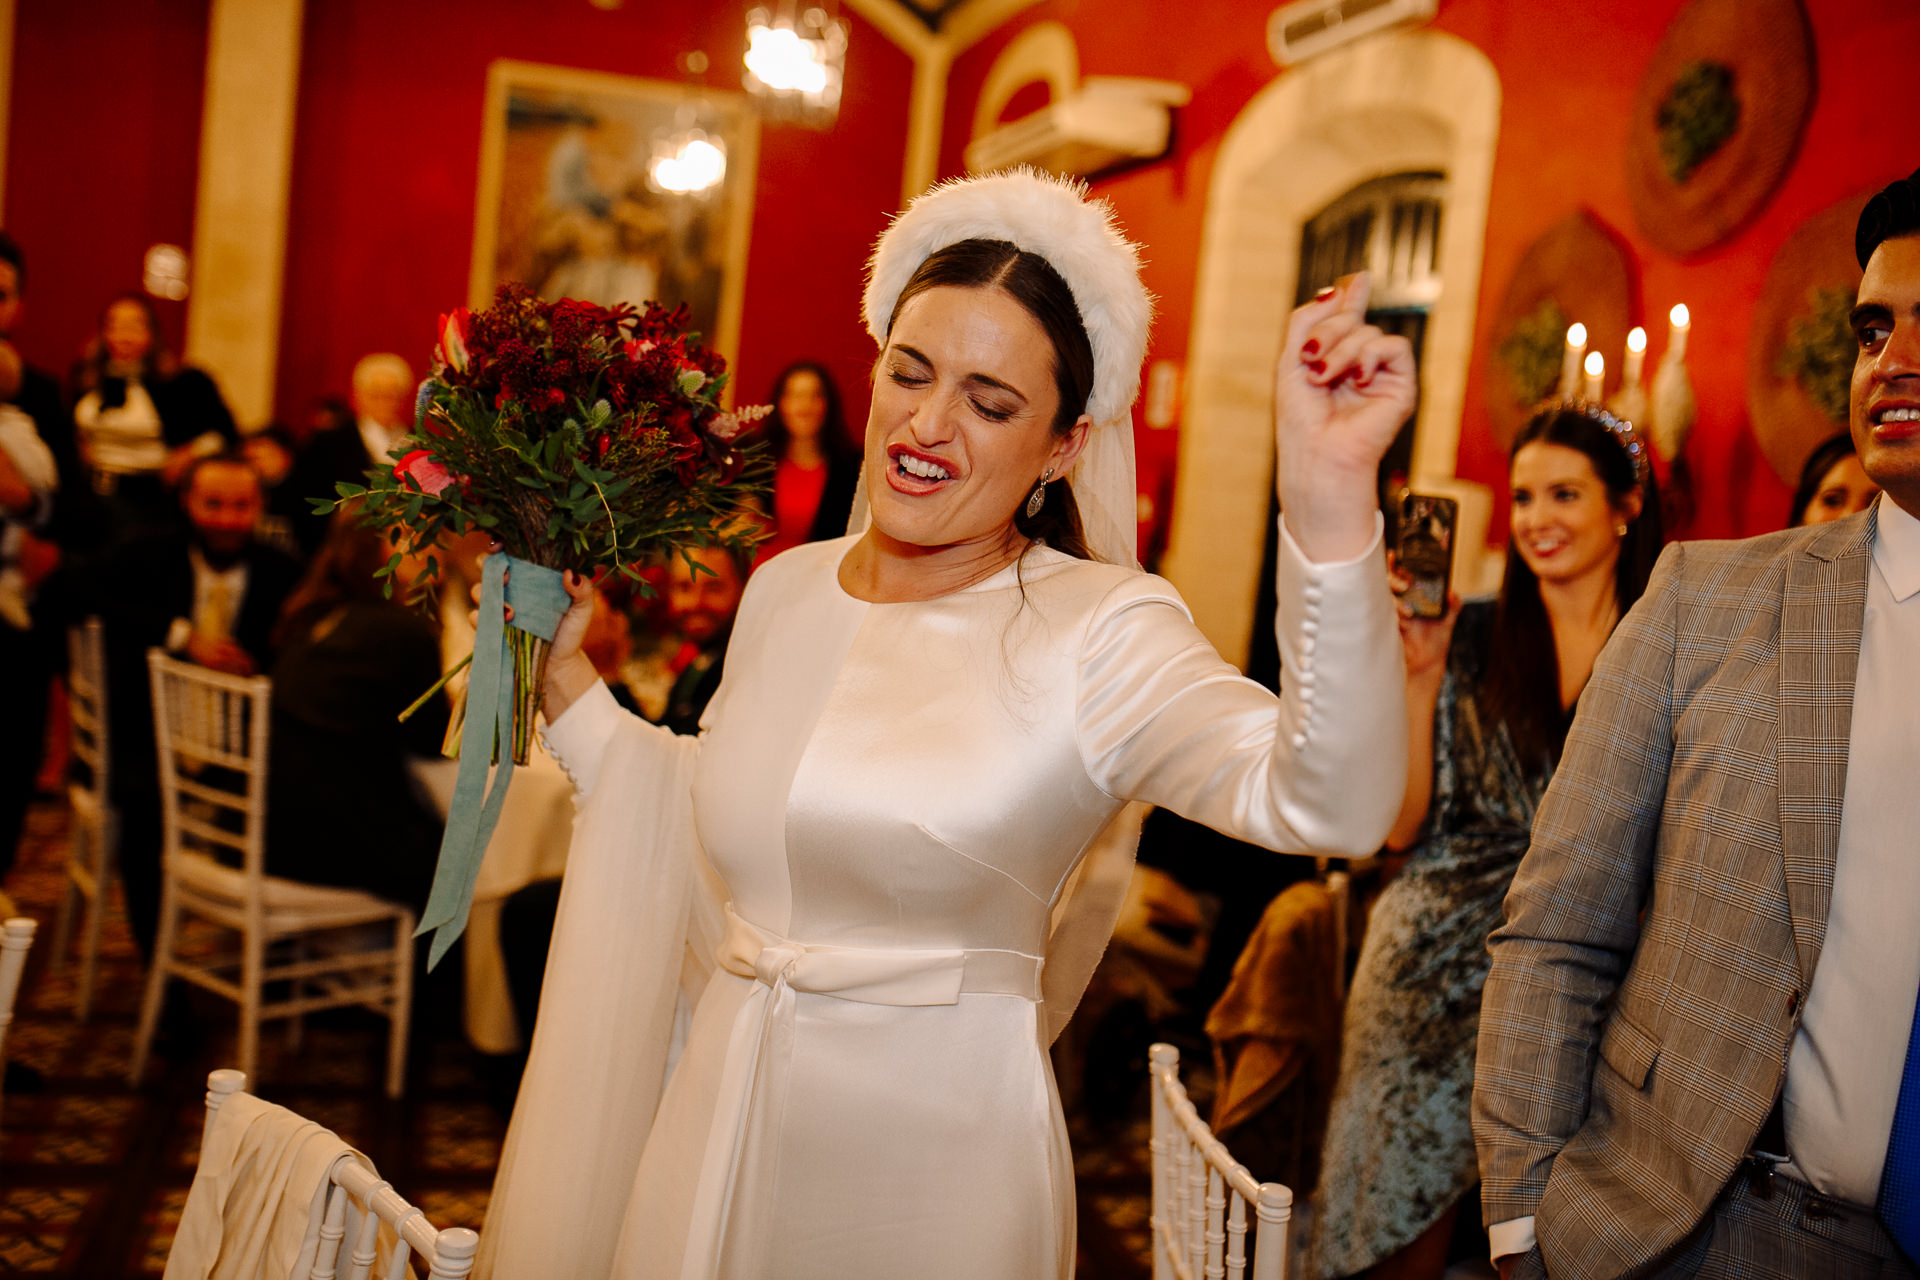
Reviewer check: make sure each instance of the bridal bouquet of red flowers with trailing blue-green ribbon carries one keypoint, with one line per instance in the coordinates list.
(581, 439)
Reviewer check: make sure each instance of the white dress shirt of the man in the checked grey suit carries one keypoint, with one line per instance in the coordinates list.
(1844, 1072)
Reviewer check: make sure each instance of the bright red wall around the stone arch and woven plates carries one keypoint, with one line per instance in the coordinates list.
(1568, 74)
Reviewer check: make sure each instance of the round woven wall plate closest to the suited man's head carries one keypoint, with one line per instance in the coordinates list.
(1819, 254)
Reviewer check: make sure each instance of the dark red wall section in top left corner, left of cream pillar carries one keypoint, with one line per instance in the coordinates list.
(103, 156)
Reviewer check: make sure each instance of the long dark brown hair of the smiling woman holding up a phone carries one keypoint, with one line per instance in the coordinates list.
(1522, 684)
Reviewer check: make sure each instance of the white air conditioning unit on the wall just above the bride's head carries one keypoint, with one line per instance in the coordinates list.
(1107, 122)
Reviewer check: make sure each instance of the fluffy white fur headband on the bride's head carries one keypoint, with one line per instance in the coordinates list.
(1044, 216)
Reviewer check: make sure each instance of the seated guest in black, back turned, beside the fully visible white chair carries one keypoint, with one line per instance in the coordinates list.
(348, 661)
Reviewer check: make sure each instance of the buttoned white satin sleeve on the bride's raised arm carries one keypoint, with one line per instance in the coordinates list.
(1322, 769)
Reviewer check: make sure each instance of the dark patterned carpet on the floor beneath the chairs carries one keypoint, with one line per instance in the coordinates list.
(93, 1173)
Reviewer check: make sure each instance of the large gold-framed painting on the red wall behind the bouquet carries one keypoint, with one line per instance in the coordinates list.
(615, 189)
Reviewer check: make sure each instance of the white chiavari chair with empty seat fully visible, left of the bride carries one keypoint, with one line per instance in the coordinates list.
(333, 947)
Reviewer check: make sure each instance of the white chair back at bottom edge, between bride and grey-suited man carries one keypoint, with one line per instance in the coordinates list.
(1203, 1198)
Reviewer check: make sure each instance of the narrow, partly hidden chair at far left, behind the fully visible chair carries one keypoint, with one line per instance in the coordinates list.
(95, 826)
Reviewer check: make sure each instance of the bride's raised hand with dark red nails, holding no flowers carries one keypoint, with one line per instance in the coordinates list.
(1343, 392)
